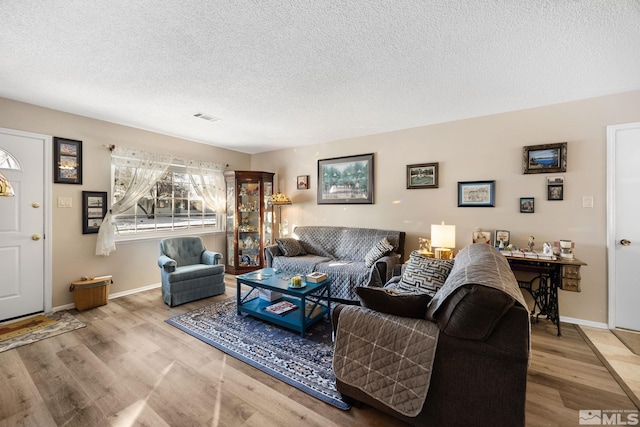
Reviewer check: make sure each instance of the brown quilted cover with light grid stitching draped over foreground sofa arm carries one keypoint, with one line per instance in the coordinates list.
(387, 357)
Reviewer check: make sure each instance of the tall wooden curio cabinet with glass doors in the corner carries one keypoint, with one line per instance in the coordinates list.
(249, 219)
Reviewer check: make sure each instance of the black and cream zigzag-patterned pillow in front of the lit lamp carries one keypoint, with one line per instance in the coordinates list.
(427, 274)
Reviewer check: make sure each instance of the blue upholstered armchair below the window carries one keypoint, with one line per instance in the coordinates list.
(189, 271)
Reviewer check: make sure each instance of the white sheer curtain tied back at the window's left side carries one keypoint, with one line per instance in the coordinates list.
(149, 167)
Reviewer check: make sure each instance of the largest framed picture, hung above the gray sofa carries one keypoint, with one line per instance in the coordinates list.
(346, 180)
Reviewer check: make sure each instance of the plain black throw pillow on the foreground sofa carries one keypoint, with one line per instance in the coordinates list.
(393, 301)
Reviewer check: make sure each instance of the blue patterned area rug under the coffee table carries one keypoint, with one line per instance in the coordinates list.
(304, 363)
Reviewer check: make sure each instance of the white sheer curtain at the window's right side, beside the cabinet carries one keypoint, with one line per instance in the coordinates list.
(208, 182)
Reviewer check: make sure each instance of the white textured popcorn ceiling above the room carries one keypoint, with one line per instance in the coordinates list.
(286, 73)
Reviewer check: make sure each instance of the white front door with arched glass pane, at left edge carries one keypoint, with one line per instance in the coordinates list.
(23, 220)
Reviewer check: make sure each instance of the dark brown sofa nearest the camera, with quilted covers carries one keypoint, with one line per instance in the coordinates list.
(479, 373)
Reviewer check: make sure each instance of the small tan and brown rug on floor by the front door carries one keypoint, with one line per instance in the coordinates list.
(37, 328)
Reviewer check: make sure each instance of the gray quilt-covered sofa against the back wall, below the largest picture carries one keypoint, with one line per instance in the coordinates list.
(340, 252)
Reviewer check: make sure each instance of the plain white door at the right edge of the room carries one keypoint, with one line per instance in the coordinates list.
(623, 205)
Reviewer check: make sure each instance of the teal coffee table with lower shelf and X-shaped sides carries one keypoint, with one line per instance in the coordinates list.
(313, 301)
